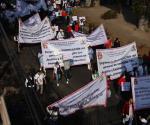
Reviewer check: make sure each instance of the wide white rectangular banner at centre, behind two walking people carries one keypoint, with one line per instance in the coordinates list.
(75, 48)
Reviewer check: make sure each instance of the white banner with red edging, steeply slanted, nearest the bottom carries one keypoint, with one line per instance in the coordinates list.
(89, 95)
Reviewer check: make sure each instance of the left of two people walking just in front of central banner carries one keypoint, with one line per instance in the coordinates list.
(57, 73)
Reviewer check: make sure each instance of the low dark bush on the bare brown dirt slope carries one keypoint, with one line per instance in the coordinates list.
(110, 14)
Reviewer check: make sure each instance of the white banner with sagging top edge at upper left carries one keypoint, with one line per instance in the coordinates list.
(35, 33)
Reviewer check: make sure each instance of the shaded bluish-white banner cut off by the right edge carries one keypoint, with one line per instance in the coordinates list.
(141, 92)
